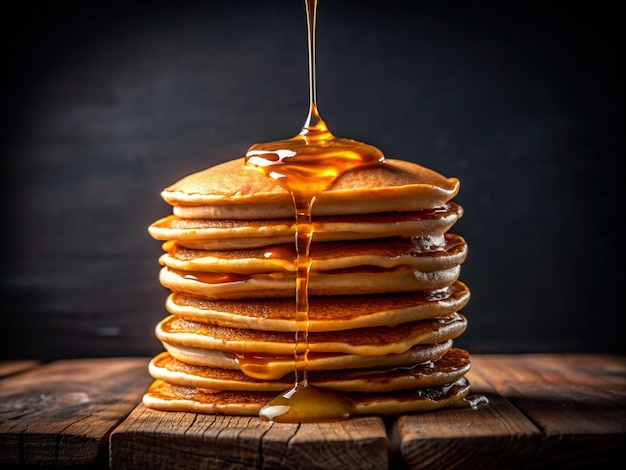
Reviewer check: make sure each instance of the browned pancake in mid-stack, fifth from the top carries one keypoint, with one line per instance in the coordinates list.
(326, 313)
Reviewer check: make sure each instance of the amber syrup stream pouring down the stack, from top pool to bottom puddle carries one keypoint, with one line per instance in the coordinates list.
(305, 165)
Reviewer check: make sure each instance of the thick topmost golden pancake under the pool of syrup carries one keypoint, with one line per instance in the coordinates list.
(232, 190)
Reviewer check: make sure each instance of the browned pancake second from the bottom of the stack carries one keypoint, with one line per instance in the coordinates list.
(447, 369)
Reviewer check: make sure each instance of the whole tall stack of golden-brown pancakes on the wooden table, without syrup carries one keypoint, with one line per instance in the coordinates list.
(384, 294)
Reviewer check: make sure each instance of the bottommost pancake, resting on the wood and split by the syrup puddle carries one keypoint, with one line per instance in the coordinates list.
(164, 396)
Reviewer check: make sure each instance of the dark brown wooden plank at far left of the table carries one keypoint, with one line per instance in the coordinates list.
(62, 413)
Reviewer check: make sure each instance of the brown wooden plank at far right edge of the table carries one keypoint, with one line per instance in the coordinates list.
(578, 401)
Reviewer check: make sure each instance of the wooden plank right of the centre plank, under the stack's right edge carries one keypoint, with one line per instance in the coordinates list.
(493, 435)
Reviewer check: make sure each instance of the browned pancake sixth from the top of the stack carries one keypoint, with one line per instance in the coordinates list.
(373, 341)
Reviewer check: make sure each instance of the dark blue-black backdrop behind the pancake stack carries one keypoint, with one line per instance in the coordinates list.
(106, 103)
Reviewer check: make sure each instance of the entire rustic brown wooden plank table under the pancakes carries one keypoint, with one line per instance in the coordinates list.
(545, 411)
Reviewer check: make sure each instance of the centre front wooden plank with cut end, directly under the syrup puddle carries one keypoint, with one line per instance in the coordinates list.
(156, 439)
